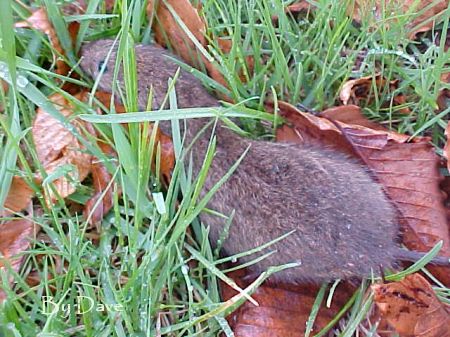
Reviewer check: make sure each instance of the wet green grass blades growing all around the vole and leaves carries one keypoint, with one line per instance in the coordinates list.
(152, 258)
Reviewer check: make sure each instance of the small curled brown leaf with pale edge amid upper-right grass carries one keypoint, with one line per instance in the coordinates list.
(361, 89)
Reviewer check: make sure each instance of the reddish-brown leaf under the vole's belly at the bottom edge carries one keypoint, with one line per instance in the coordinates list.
(282, 311)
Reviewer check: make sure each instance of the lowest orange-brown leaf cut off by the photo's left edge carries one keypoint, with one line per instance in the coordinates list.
(14, 240)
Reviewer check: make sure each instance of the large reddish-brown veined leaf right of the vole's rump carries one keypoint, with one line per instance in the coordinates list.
(409, 172)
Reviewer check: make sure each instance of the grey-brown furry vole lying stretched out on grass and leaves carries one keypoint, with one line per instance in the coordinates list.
(344, 225)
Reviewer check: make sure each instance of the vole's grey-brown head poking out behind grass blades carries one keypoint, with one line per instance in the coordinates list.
(95, 57)
